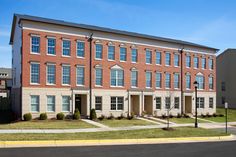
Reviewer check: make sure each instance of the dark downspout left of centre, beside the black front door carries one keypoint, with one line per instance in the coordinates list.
(90, 72)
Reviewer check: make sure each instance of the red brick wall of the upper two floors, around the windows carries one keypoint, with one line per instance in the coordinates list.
(43, 58)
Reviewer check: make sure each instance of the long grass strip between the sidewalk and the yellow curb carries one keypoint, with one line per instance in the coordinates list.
(131, 134)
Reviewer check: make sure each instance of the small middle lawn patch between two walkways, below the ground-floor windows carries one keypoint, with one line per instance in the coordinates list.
(125, 122)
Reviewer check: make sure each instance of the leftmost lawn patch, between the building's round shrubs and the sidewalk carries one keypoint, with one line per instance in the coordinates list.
(47, 124)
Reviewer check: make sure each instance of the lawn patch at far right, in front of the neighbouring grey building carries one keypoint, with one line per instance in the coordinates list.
(231, 115)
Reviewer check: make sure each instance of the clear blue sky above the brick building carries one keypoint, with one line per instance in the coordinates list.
(207, 22)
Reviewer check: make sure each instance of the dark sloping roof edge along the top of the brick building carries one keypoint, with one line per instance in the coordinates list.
(97, 28)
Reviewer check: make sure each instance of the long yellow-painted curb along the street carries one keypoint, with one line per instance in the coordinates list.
(58, 143)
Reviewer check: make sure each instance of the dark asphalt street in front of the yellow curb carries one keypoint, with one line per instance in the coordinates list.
(207, 149)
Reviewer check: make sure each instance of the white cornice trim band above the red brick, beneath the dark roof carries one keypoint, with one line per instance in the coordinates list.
(114, 40)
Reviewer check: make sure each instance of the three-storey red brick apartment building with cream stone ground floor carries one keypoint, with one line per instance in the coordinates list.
(59, 66)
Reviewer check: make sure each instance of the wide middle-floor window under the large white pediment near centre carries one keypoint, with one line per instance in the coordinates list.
(117, 77)
